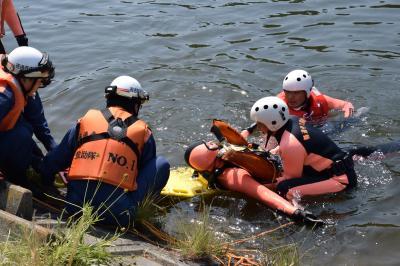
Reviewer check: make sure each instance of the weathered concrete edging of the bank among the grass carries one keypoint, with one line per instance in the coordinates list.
(18, 214)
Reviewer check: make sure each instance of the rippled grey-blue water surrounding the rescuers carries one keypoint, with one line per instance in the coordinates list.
(213, 59)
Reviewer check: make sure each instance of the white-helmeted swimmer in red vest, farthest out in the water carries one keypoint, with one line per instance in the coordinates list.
(304, 100)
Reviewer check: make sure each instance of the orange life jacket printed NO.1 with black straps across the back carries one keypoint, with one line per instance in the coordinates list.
(109, 148)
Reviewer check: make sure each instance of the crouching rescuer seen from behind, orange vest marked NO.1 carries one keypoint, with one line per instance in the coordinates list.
(112, 157)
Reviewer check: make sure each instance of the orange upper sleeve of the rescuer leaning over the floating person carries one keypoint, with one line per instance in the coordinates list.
(293, 155)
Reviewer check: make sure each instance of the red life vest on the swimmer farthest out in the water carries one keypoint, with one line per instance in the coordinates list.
(317, 106)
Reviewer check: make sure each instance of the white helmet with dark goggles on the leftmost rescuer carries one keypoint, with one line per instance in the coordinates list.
(28, 62)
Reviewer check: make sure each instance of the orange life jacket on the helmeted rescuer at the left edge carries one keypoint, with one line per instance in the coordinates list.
(9, 121)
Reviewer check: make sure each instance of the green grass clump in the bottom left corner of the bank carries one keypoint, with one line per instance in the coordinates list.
(65, 247)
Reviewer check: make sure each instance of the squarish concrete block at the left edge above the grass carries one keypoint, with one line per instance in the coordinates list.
(16, 200)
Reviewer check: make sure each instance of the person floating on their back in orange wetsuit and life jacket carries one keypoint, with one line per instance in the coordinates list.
(248, 172)
